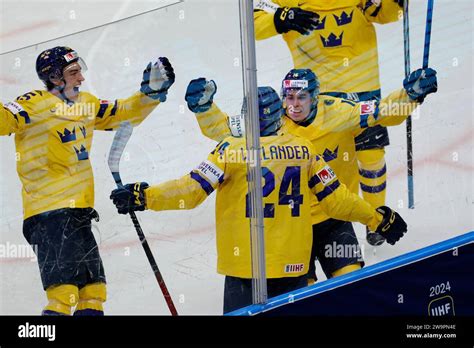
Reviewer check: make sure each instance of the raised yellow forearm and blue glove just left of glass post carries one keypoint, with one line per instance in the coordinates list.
(200, 100)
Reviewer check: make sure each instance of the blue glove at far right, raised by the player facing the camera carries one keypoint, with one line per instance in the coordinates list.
(420, 83)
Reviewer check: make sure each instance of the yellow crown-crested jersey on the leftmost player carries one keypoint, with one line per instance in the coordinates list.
(53, 141)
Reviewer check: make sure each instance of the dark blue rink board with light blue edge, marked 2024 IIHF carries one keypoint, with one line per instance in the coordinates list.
(433, 281)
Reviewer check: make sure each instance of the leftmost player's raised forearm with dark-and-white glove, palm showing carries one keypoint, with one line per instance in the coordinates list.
(158, 77)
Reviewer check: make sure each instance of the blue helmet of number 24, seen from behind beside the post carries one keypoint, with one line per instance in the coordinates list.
(270, 110)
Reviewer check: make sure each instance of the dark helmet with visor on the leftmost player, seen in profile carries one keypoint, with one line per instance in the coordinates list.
(50, 63)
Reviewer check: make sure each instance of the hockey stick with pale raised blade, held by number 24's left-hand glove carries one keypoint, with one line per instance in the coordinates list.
(121, 138)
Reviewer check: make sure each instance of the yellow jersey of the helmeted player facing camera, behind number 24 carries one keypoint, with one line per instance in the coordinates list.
(331, 132)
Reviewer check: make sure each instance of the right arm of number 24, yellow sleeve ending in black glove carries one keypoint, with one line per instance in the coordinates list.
(339, 203)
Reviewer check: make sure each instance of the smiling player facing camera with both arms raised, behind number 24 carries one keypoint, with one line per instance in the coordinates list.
(330, 123)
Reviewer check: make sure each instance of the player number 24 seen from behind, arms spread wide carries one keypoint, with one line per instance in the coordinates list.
(291, 169)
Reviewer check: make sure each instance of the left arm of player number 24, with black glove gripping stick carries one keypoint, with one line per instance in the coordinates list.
(185, 193)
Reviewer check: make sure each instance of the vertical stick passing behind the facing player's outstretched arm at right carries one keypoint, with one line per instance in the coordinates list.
(406, 46)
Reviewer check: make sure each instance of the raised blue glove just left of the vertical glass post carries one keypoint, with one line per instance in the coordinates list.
(200, 94)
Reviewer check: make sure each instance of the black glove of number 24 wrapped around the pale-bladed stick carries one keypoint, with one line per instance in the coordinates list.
(130, 197)
